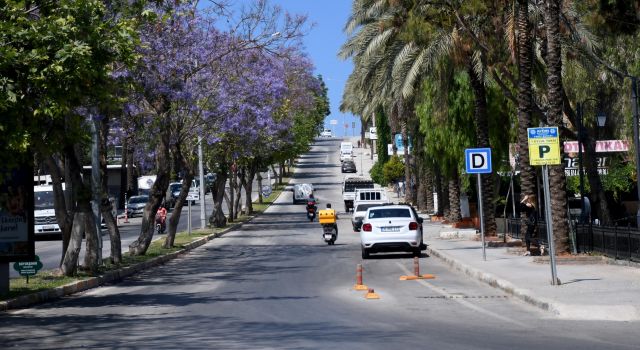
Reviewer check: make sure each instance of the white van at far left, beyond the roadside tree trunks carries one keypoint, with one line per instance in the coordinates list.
(46, 223)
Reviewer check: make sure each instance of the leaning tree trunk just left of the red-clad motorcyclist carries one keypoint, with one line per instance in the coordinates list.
(156, 195)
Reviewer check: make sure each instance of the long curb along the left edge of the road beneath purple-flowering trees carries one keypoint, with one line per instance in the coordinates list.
(111, 276)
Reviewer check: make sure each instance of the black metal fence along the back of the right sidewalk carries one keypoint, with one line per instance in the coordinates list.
(616, 242)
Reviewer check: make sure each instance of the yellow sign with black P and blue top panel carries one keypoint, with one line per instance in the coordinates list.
(544, 146)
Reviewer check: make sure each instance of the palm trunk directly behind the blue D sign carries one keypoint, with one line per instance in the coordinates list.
(482, 133)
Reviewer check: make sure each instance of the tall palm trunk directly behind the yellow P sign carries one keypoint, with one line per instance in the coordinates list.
(555, 97)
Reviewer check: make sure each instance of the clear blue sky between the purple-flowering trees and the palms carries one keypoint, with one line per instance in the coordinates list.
(322, 44)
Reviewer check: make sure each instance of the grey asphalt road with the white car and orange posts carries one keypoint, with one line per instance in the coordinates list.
(274, 284)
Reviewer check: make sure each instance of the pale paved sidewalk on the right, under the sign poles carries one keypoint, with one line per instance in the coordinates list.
(589, 291)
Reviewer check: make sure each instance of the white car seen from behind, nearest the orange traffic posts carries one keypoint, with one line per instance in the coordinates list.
(391, 228)
